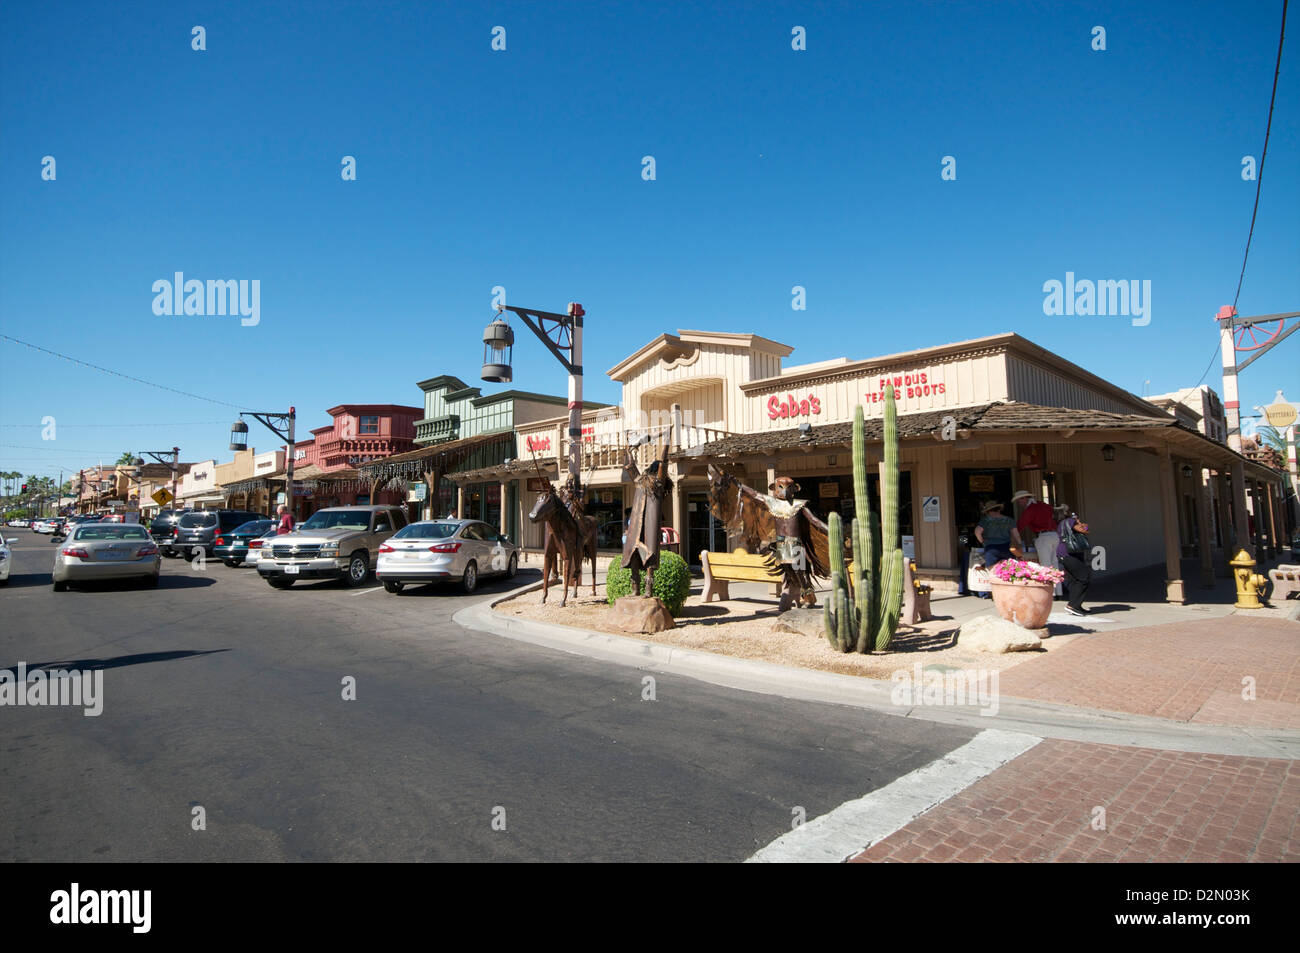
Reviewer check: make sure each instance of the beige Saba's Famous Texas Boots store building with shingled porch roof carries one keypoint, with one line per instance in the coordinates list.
(978, 421)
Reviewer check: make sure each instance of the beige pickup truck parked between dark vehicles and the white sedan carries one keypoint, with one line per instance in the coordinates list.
(336, 543)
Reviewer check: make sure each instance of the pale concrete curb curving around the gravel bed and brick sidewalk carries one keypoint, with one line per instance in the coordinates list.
(1045, 720)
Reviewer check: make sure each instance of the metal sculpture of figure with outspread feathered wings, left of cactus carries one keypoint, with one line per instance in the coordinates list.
(775, 525)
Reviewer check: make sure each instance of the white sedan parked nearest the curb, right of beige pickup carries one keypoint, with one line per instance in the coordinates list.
(441, 551)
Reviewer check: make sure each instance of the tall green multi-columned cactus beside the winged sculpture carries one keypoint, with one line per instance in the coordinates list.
(863, 613)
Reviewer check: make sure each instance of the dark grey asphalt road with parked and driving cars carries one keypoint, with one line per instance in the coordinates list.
(224, 694)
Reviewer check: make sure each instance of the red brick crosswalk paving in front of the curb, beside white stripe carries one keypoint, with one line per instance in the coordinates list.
(1164, 807)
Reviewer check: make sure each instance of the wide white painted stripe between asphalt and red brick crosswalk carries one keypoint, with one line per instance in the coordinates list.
(855, 826)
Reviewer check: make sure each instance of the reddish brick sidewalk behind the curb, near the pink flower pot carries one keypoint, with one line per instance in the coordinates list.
(1184, 672)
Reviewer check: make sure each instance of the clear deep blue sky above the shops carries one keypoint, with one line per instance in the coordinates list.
(523, 168)
